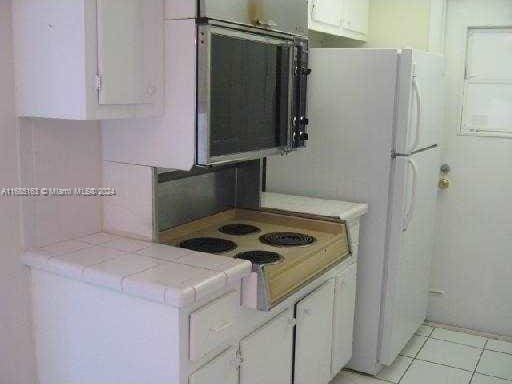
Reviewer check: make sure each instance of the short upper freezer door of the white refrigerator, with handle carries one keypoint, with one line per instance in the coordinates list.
(421, 101)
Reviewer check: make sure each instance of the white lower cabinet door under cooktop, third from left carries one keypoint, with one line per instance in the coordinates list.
(313, 343)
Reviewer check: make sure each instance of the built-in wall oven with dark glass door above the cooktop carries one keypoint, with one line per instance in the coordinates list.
(252, 88)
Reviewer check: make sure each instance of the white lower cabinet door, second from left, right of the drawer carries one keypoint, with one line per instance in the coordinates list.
(267, 354)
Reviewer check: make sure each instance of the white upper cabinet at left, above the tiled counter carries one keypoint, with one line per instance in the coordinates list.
(89, 59)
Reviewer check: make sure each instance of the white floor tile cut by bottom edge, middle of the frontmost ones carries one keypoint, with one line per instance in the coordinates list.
(422, 372)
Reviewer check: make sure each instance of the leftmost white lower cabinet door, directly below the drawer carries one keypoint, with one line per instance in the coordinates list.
(223, 369)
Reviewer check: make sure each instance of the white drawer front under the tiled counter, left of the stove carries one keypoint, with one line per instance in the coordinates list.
(212, 325)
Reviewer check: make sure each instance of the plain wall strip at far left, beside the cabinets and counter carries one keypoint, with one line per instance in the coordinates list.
(16, 347)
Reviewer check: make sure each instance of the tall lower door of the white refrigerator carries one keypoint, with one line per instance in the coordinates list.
(410, 248)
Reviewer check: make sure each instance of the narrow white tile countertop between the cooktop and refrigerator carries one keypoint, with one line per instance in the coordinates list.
(330, 208)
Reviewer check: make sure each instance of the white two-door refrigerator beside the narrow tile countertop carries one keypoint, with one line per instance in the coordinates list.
(375, 119)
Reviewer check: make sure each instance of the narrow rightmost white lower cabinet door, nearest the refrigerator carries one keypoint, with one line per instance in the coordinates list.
(344, 308)
